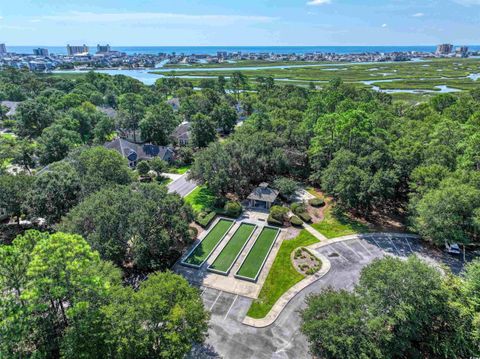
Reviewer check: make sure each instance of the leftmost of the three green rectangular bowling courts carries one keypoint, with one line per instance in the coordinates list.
(203, 250)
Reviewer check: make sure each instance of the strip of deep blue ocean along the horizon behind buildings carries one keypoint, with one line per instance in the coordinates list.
(212, 50)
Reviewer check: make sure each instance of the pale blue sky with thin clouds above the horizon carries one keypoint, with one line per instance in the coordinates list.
(239, 22)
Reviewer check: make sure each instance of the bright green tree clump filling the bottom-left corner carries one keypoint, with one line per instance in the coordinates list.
(61, 300)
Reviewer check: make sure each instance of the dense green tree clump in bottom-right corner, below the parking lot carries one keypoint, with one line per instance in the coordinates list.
(399, 309)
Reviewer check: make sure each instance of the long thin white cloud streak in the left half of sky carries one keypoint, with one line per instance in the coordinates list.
(88, 17)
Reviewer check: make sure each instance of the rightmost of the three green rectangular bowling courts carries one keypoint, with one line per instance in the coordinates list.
(255, 259)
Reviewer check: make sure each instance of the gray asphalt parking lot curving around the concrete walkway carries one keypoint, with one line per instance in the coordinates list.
(229, 338)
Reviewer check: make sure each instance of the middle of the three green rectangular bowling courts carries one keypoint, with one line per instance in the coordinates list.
(231, 251)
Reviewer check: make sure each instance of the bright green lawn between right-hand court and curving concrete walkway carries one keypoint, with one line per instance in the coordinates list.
(282, 275)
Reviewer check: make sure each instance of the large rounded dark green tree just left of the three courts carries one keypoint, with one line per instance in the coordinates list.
(139, 224)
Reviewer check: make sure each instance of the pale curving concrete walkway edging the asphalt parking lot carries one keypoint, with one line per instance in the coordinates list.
(282, 302)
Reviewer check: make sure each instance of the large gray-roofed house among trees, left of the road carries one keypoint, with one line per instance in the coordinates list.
(135, 153)
